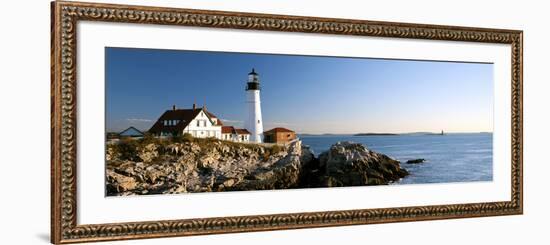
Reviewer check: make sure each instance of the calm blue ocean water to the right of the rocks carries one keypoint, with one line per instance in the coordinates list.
(460, 157)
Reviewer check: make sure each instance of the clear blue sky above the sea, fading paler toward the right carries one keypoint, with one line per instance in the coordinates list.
(308, 94)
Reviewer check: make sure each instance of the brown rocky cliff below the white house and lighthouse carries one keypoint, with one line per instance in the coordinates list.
(204, 165)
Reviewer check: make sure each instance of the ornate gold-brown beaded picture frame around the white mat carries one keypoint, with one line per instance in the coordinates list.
(64, 188)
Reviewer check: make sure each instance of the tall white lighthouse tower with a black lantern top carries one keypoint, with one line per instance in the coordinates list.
(253, 122)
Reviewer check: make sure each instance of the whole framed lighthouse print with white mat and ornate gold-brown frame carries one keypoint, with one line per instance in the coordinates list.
(174, 122)
